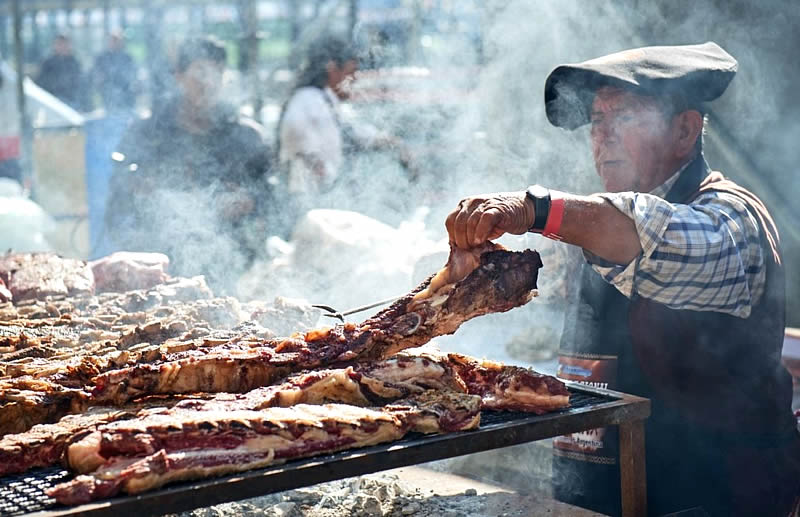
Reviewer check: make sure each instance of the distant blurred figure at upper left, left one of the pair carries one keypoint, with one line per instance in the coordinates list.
(61, 75)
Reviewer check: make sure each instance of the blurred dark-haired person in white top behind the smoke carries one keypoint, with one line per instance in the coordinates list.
(313, 139)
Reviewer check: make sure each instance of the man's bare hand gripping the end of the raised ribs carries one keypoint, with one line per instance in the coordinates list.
(483, 218)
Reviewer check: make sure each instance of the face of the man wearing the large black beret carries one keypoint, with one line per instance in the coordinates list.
(631, 141)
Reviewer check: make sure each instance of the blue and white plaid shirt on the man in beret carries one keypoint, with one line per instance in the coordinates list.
(704, 256)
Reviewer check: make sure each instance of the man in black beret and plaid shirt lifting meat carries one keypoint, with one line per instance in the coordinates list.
(682, 296)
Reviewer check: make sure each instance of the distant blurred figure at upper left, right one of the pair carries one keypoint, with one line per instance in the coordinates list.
(114, 76)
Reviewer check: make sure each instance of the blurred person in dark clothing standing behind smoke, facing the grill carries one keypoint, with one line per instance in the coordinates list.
(190, 180)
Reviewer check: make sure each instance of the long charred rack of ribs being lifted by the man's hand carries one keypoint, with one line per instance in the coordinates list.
(500, 281)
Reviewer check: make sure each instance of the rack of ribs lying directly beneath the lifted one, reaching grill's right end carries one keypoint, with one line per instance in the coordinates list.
(373, 383)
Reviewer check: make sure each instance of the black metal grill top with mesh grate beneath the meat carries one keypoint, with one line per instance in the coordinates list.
(24, 493)
